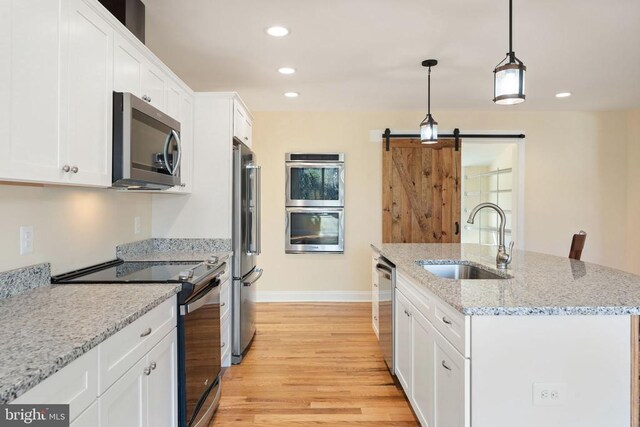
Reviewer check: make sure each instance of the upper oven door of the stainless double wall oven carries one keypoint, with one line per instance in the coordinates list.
(315, 184)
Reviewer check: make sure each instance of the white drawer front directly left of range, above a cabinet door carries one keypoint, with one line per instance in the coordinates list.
(121, 351)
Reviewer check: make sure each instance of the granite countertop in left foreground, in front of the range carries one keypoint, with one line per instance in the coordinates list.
(45, 329)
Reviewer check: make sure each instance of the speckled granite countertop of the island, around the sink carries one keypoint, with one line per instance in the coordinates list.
(540, 284)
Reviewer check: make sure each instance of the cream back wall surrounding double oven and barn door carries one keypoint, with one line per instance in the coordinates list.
(575, 178)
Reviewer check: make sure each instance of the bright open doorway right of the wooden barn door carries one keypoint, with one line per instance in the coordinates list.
(493, 171)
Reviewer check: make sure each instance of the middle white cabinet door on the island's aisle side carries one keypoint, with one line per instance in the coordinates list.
(422, 358)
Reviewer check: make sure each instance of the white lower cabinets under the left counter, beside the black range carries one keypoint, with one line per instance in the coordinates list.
(141, 394)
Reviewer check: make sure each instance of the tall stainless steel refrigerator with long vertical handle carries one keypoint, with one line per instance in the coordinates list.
(246, 247)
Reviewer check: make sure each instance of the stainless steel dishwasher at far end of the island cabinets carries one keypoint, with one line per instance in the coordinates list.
(386, 287)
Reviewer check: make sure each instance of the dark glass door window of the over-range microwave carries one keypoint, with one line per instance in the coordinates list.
(148, 139)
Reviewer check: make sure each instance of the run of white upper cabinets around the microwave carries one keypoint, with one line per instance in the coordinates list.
(62, 60)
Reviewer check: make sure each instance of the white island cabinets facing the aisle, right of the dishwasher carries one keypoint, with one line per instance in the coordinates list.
(434, 375)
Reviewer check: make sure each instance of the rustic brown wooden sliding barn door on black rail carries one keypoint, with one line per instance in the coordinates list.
(420, 192)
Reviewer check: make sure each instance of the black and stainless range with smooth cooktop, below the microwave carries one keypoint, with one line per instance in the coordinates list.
(198, 324)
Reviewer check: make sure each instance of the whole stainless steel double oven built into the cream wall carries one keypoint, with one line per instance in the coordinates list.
(314, 213)
